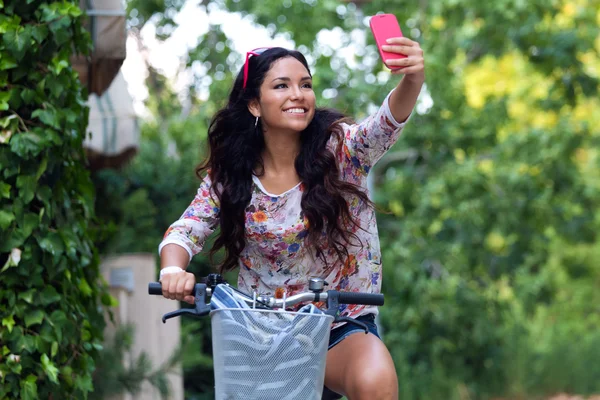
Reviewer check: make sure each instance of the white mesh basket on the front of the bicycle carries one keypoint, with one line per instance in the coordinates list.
(269, 355)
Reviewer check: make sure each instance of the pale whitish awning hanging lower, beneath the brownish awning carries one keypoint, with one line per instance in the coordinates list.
(113, 125)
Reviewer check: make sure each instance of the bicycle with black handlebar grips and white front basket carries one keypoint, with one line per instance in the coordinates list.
(263, 351)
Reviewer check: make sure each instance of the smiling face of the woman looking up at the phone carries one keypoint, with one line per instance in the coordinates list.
(287, 101)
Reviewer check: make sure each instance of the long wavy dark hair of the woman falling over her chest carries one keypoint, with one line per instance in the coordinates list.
(236, 146)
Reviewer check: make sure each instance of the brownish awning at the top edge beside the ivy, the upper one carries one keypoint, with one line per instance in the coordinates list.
(106, 24)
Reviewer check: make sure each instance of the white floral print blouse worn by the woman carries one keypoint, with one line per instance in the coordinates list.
(276, 259)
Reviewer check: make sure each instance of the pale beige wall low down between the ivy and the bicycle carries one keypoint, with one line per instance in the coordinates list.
(129, 275)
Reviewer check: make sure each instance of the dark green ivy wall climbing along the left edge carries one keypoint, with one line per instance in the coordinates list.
(51, 323)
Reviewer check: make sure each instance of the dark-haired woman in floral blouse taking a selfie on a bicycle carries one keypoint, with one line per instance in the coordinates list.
(286, 184)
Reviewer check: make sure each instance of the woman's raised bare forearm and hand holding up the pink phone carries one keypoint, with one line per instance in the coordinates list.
(403, 99)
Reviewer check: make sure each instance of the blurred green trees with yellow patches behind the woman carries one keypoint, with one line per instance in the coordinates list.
(490, 247)
